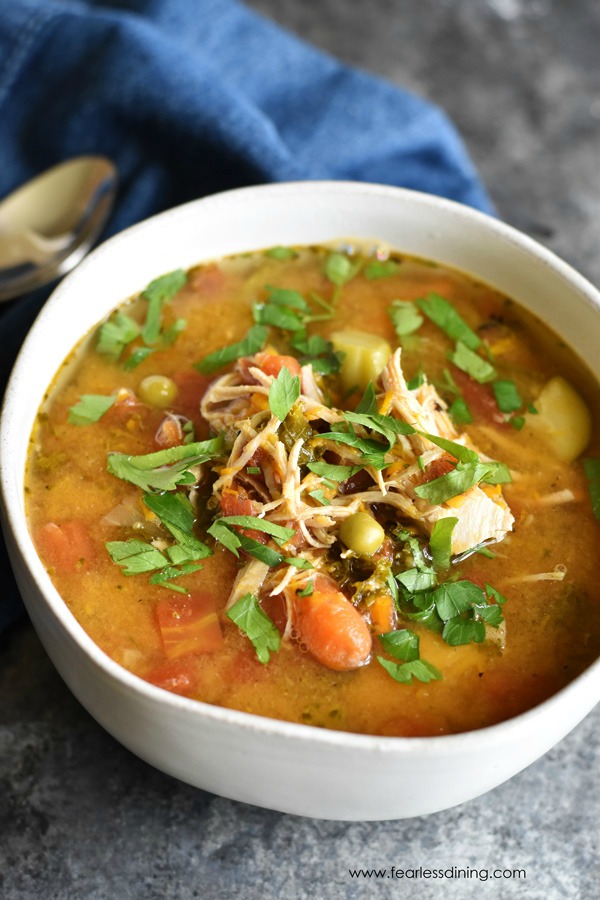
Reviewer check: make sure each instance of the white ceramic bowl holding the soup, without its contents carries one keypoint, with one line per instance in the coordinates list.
(292, 768)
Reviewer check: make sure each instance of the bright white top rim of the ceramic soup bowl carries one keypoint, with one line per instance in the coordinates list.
(430, 746)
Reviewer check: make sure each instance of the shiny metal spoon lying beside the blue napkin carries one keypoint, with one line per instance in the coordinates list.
(49, 224)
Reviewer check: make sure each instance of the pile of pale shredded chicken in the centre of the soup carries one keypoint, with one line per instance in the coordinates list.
(288, 493)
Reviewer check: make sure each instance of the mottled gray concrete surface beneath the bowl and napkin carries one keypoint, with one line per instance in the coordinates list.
(80, 817)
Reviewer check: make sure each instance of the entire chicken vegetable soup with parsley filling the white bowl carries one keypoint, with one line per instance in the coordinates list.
(353, 490)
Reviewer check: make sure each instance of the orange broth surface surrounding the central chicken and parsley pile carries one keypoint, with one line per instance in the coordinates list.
(552, 627)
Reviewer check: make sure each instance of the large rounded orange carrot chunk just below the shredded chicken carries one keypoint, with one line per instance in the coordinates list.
(331, 628)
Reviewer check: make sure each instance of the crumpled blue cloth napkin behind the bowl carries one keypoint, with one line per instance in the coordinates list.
(190, 97)
